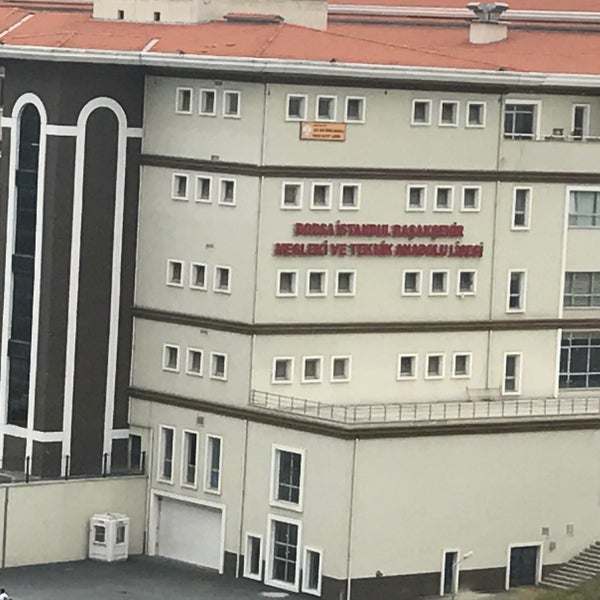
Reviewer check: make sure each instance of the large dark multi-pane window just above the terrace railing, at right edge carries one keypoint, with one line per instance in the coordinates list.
(580, 360)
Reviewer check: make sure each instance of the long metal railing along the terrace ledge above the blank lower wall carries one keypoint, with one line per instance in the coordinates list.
(418, 412)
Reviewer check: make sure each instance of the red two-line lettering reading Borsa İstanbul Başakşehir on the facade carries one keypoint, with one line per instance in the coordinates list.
(434, 240)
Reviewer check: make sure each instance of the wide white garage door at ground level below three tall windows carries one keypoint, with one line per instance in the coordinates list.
(189, 532)
